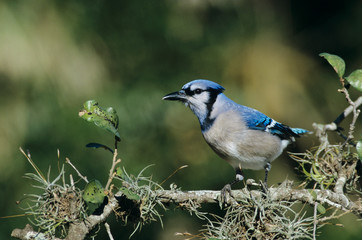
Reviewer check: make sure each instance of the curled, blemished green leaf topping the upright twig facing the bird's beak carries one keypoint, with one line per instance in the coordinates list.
(106, 119)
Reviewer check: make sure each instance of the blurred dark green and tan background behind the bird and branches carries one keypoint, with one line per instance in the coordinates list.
(55, 55)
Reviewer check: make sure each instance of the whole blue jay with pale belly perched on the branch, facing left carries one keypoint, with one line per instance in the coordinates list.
(243, 136)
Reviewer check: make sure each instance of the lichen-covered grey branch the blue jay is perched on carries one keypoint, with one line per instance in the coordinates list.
(282, 193)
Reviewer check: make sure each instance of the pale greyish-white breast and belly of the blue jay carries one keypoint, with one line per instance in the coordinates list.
(238, 145)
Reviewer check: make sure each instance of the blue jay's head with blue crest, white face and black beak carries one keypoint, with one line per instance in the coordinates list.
(199, 95)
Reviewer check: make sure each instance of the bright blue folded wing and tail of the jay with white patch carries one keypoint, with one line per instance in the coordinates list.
(259, 121)
